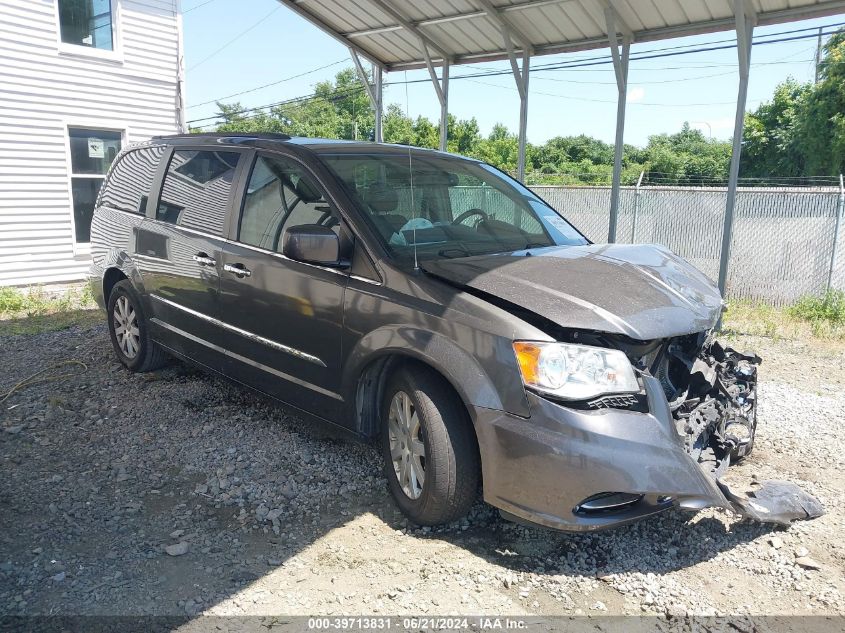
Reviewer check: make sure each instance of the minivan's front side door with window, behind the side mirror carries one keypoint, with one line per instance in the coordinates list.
(284, 318)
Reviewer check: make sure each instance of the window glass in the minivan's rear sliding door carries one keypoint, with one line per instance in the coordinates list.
(196, 189)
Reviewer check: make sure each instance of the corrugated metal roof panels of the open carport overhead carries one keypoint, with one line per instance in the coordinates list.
(389, 32)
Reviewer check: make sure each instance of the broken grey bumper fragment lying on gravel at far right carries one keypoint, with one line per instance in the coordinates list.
(774, 501)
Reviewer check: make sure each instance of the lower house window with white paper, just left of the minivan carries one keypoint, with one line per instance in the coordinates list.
(91, 154)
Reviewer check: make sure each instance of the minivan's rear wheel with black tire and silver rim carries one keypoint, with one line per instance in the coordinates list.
(136, 351)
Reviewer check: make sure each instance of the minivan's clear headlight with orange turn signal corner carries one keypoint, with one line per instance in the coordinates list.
(574, 372)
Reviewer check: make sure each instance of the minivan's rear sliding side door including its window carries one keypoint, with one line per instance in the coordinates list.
(179, 251)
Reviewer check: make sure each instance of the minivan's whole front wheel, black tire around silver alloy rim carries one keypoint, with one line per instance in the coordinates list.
(439, 425)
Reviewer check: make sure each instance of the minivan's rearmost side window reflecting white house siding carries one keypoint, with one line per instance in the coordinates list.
(131, 179)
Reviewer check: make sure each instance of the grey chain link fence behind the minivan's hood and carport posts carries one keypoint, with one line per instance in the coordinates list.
(784, 241)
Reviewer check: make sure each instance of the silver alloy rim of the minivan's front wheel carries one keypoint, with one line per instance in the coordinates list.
(407, 448)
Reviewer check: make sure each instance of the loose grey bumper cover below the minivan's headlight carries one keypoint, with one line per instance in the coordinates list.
(540, 469)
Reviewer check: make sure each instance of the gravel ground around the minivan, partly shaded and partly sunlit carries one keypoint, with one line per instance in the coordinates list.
(176, 493)
